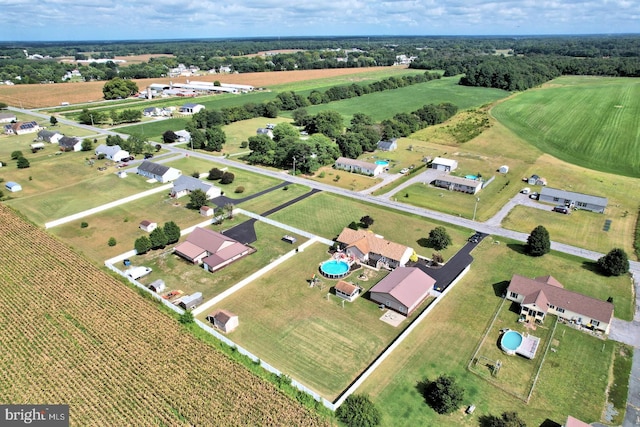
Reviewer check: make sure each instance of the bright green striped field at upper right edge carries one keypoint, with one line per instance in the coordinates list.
(589, 121)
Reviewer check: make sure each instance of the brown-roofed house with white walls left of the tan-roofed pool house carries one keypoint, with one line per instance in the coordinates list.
(211, 249)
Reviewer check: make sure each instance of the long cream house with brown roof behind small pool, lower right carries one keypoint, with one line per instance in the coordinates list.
(545, 295)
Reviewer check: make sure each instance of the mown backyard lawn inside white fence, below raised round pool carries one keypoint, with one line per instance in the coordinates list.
(304, 333)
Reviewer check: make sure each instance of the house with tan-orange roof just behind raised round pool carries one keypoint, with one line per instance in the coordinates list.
(373, 249)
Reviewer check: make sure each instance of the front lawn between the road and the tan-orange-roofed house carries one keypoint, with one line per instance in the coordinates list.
(327, 214)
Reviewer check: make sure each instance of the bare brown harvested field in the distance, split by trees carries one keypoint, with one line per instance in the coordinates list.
(39, 95)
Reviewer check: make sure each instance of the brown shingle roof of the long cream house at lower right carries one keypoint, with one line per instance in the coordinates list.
(547, 289)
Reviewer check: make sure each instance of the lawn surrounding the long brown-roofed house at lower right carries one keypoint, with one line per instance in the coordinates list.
(447, 340)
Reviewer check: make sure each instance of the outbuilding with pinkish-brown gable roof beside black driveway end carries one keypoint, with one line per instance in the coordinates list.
(403, 290)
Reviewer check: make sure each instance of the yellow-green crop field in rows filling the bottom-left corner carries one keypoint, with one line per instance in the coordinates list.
(87, 340)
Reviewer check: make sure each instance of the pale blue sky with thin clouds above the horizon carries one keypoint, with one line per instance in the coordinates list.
(78, 20)
